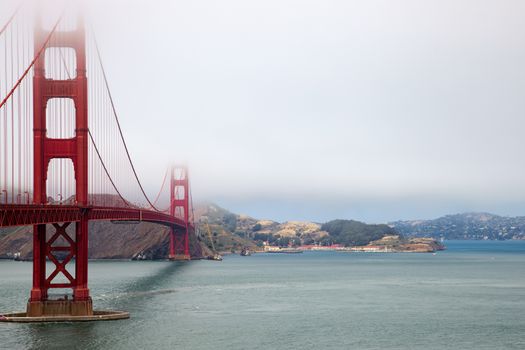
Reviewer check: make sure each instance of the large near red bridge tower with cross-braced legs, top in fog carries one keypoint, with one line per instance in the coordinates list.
(59, 240)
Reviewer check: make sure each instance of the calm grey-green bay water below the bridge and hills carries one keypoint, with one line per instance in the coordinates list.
(469, 297)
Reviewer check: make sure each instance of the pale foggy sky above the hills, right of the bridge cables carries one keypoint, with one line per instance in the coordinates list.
(318, 109)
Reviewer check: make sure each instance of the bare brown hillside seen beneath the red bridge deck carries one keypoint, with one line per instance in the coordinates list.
(106, 241)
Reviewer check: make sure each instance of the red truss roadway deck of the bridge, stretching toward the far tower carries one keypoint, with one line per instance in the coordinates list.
(33, 214)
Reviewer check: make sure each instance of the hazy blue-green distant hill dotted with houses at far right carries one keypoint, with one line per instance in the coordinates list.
(465, 226)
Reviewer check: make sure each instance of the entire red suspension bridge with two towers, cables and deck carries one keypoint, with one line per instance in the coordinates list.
(64, 160)
